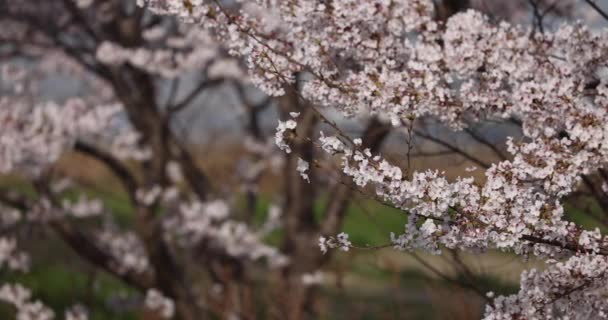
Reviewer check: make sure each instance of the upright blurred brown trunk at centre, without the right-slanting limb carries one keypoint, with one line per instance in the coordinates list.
(301, 228)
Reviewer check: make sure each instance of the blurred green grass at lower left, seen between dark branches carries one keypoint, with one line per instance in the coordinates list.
(58, 278)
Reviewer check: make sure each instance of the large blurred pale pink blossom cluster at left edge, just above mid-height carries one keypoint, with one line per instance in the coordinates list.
(36, 135)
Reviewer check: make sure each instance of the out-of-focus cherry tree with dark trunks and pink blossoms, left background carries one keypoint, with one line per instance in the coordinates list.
(138, 73)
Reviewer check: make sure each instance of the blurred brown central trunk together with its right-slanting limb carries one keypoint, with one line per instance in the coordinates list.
(302, 227)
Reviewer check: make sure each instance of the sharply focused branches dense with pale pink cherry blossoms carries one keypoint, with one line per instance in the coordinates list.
(395, 60)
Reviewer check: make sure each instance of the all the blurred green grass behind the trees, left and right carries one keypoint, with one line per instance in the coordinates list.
(59, 284)
